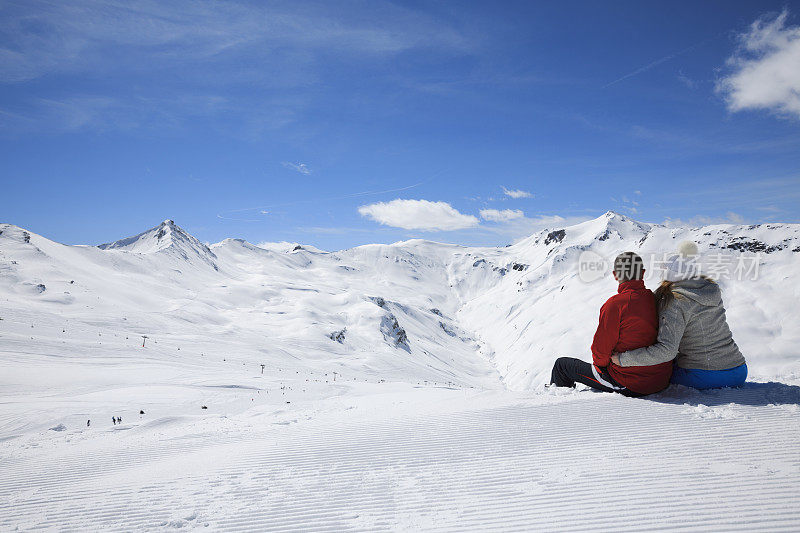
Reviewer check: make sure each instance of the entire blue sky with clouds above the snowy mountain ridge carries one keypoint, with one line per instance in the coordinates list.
(338, 124)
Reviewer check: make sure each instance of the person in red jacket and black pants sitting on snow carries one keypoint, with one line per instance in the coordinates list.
(628, 320)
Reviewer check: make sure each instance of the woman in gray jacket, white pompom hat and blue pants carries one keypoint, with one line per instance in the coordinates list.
(692, 329)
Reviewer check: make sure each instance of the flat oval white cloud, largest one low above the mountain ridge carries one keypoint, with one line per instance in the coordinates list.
(418, 214)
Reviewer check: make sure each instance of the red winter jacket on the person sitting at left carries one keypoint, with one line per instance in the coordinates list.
(629, 320)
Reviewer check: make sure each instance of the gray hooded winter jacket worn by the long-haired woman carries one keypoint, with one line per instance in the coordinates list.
(692, 330)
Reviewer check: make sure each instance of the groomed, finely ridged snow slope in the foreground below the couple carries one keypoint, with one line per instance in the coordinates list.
(597, 462)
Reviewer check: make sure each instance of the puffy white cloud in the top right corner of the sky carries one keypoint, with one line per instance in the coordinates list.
(766, 68)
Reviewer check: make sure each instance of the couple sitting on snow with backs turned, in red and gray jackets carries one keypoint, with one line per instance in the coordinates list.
(640, 334)
